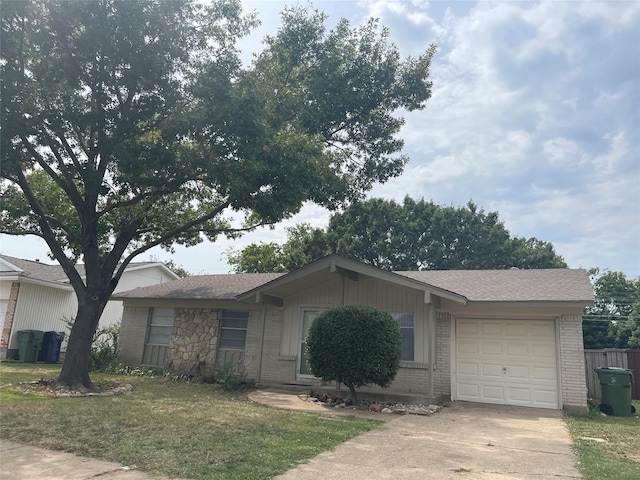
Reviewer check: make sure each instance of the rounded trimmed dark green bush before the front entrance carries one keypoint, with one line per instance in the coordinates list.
(356, 345)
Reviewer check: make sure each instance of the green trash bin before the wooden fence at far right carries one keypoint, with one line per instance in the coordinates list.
(616, 391)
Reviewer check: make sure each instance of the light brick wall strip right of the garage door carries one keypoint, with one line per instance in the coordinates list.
(573, 382)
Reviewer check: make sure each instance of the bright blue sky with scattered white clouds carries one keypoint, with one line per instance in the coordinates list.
(535, 114)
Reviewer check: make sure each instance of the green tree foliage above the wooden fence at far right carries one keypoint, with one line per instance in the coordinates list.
(614, 319)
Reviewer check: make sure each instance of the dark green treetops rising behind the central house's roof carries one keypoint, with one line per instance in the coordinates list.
(414, 235)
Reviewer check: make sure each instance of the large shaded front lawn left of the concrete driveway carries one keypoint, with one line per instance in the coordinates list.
(169, 428)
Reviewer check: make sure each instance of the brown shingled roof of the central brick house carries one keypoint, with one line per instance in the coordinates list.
(555, 285)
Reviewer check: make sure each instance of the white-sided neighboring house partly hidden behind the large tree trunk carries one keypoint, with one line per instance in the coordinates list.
(38, 296)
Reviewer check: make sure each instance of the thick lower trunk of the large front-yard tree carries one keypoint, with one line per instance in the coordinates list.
(75, 369)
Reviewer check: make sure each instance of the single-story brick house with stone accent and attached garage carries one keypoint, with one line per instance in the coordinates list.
(509, 337)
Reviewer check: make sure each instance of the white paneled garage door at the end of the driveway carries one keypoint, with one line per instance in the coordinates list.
(508, 362)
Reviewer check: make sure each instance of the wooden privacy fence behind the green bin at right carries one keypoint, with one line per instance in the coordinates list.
(611, 357)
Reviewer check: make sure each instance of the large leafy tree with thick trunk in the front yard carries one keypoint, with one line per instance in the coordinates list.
(133, 124)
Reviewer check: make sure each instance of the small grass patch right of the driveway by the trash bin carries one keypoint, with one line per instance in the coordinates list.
(616, 455)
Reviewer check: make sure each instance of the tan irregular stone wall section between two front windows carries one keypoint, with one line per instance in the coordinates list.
(194, 339)
